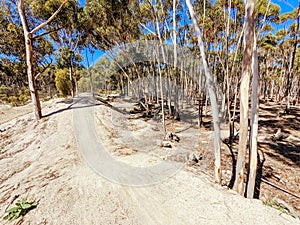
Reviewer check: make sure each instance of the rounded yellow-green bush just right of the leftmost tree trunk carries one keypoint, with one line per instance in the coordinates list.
(62, 82)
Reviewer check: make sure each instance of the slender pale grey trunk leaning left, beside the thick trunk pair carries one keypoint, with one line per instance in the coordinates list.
(212, 95)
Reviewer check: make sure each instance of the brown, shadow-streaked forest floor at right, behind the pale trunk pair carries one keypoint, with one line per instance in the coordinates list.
(279, 160)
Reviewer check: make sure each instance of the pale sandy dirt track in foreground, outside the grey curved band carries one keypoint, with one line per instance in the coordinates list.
(41, 161)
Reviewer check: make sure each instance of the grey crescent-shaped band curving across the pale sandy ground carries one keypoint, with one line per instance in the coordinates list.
(99, 159)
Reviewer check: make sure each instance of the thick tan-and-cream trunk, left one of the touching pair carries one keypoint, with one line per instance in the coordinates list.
(244, 94)
